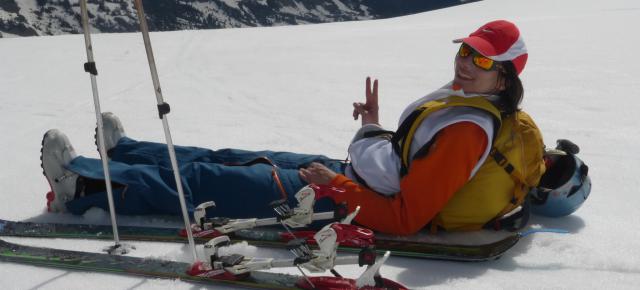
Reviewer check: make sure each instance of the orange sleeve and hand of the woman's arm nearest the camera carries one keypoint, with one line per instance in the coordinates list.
(430, 183)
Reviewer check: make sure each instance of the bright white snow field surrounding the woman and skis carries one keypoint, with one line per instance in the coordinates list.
(291, 88)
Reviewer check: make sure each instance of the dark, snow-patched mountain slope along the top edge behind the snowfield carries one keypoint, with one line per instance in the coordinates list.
(52, 17)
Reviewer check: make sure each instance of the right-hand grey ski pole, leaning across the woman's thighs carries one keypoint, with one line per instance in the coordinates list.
(163, 110)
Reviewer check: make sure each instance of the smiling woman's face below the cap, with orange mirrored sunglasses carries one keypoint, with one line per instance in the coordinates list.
(473, 79)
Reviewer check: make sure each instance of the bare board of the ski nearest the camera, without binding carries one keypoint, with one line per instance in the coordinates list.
(156, 268)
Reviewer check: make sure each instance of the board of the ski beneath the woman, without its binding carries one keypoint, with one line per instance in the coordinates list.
(419, 246)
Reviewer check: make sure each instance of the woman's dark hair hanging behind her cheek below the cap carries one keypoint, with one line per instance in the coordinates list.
(513, 92)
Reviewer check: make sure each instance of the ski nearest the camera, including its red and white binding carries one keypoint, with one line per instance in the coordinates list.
(236, 269)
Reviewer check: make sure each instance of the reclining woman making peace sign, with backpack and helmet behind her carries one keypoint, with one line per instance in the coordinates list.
(438, 169)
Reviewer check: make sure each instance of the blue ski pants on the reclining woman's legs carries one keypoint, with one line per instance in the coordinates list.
(144, 182)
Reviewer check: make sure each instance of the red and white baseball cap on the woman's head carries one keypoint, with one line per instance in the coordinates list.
(499, 40)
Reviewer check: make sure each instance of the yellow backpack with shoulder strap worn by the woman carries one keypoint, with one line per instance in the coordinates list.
(514, 165)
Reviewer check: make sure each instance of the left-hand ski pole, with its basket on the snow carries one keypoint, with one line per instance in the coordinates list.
(90, 67)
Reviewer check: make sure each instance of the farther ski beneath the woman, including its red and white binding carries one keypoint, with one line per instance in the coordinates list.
(263, 232)
